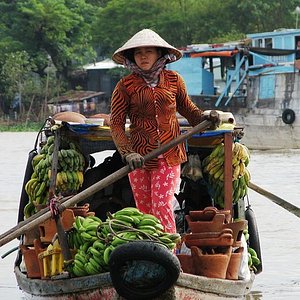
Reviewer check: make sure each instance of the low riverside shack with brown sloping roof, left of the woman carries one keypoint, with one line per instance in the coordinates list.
(84, 102)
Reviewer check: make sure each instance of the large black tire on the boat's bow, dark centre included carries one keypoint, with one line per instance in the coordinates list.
(143, 254)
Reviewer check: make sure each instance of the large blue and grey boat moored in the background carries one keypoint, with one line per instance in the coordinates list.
(257, 79)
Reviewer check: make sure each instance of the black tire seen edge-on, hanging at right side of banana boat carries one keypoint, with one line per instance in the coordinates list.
(254, 242)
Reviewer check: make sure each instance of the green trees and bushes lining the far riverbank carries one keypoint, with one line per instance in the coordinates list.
(45, 44)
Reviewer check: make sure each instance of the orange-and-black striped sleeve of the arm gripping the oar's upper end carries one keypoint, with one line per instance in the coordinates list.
(185, 106)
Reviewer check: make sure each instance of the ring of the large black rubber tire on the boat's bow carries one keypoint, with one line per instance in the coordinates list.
(146, 251)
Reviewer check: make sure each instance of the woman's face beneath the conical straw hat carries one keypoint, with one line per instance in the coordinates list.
(145, 57)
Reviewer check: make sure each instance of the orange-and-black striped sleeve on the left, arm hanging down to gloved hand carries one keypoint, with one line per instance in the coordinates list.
(119, 109)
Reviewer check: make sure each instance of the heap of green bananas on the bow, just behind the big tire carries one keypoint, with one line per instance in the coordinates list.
(95, 240)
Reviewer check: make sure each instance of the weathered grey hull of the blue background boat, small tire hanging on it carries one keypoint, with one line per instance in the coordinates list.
(265, 122)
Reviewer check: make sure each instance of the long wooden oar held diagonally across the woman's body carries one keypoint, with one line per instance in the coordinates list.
(45, 214)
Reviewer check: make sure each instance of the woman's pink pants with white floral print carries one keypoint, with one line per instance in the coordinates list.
(154, 190)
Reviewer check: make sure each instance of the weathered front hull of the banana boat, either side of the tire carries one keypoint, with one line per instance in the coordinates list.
(100, 287)
